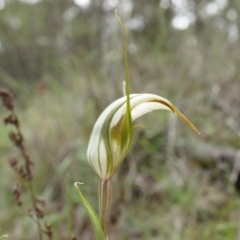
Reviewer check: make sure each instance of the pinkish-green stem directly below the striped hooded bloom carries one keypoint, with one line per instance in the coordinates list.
(105, 199)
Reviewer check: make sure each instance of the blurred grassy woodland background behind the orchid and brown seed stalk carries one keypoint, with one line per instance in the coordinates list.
(63, 61)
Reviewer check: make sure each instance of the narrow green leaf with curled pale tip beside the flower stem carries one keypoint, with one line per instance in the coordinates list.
(92, 215)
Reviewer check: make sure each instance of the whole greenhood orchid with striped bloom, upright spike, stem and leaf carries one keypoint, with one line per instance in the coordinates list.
(112, 138)
